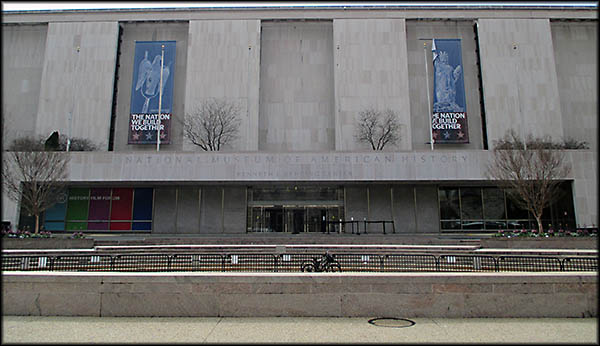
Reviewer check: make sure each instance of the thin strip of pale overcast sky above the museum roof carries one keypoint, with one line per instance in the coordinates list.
(53, 5)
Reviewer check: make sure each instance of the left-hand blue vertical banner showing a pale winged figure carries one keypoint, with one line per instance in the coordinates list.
(145, 92)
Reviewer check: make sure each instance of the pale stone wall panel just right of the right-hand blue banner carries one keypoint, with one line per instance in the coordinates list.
(519, 78)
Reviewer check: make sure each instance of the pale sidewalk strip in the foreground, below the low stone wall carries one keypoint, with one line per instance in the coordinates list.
(37, 329)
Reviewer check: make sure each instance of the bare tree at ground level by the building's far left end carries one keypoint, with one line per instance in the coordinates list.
(34, 177)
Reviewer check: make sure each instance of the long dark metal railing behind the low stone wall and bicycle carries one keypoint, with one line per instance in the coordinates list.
(253, 262)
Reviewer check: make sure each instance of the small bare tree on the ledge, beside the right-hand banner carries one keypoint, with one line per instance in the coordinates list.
(378, 128)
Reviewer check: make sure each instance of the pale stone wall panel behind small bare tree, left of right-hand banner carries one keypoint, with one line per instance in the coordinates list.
(369, 72)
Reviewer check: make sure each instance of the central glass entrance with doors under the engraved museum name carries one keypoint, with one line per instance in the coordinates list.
(294, 209)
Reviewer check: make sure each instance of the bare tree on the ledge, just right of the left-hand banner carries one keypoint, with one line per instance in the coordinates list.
(213, 124)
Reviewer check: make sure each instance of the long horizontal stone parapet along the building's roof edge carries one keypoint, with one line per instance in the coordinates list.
(302, 13)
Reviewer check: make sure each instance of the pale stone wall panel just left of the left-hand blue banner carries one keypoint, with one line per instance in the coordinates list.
(78, 82)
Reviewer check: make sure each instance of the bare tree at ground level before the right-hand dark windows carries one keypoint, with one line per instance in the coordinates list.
(530, 169)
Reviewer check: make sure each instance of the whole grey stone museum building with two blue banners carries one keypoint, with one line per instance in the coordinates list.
(457, 78)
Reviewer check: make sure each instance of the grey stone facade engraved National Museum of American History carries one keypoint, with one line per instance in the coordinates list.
(300, 77)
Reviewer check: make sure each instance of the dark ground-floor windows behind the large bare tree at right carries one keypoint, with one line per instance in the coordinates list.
(489, 208)
